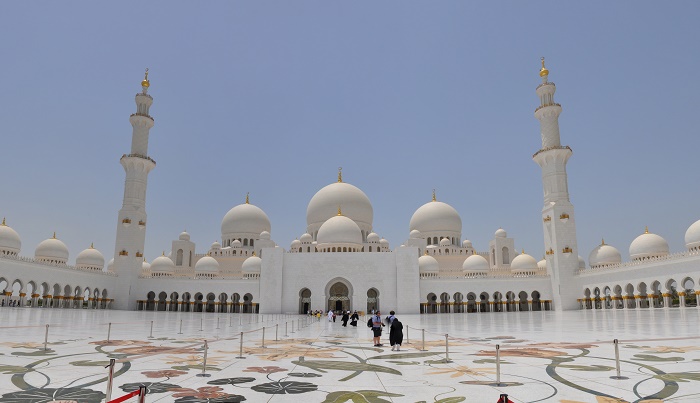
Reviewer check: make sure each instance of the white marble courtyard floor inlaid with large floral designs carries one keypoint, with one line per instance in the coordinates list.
(545, 357)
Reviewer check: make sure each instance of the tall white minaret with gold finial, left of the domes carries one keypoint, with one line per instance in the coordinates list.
(131, 223)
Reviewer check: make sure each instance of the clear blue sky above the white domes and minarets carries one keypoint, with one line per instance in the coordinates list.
(271, 97)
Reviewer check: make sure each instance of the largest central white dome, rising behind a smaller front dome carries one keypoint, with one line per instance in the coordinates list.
(354, 203)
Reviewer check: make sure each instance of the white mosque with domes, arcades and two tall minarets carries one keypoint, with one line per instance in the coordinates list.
(338, 262)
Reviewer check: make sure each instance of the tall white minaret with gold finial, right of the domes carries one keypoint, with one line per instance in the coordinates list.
(558, 213)
